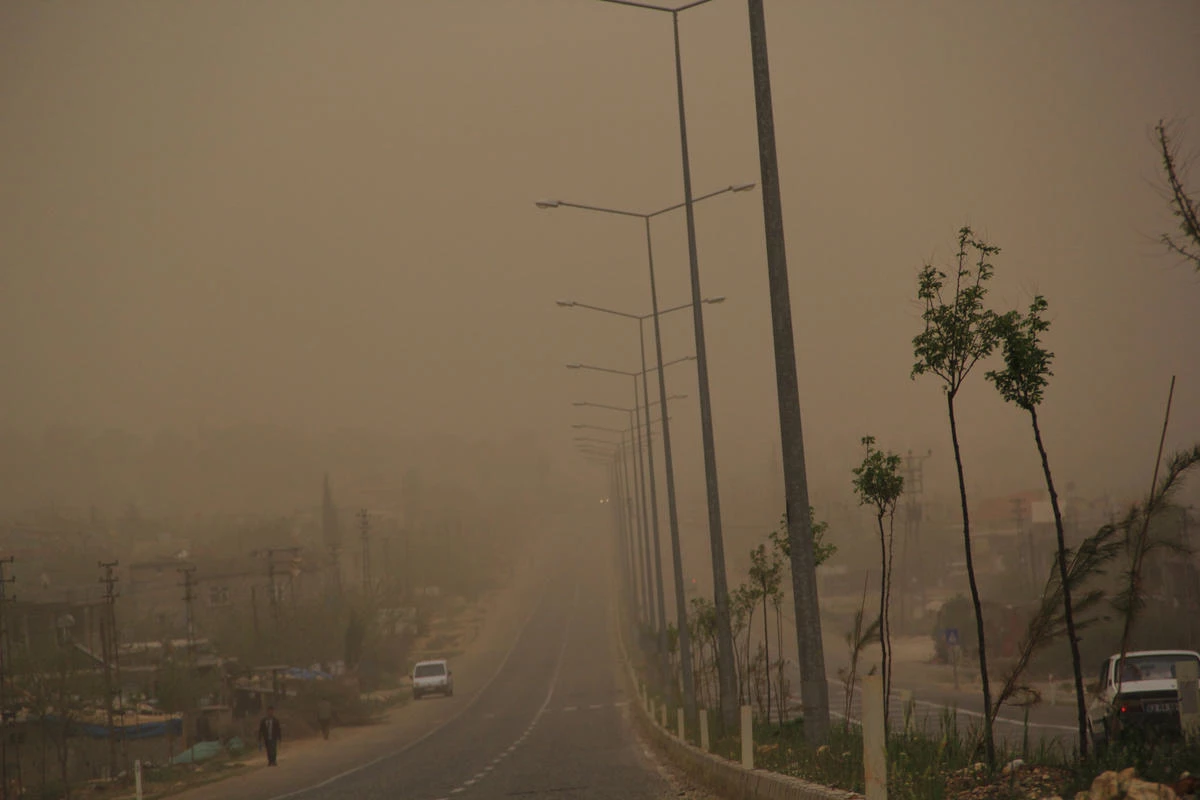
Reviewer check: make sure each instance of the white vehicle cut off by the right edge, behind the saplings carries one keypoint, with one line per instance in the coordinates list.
(1138, 695)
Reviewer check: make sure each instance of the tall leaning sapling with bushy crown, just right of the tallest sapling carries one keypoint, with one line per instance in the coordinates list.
(1023, 382)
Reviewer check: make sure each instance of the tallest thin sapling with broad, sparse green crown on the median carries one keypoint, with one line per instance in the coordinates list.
(959, 333)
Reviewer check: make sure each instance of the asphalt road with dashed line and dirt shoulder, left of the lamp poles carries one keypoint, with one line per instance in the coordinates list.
(551, 724)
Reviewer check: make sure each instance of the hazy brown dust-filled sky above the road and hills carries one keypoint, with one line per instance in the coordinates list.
(321, 215)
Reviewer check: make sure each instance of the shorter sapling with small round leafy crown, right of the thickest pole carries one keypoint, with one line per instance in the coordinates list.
(879, 484)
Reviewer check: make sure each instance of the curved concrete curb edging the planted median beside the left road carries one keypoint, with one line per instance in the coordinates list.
(724, 778)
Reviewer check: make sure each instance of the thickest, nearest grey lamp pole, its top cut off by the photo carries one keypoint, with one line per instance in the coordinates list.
(814, 687)
